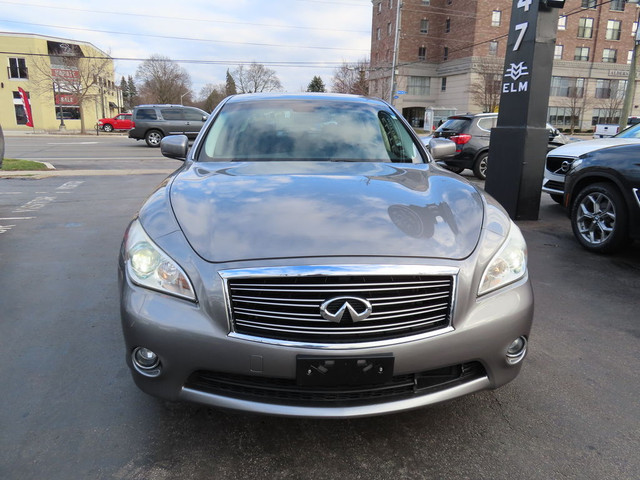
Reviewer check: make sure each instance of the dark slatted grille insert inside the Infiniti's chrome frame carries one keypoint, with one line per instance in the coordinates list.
(289, 307)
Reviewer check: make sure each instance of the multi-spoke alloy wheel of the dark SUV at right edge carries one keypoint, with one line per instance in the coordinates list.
(599, 218)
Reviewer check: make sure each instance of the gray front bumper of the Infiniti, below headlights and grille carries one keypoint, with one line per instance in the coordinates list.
(191, 338)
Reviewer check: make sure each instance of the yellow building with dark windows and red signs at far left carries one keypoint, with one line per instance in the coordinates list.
(69, 84)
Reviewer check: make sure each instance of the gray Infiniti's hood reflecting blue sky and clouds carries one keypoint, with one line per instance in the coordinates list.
(268, 210)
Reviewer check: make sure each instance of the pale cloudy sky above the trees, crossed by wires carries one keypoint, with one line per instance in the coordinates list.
(296, 38)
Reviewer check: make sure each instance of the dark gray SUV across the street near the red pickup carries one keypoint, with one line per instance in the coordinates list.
(153, 122)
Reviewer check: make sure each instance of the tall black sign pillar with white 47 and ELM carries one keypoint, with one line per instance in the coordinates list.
(519, 142)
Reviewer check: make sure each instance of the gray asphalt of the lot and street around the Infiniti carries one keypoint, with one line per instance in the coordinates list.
(70, 409)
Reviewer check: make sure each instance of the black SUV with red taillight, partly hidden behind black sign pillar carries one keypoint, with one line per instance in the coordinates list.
(471, 133)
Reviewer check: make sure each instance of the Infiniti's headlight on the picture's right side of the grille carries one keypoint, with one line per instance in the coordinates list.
(508, 265)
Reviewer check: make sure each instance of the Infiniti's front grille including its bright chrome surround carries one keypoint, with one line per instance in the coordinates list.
(396, 318)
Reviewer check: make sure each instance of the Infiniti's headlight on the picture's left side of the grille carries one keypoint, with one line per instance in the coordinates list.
(148, 266)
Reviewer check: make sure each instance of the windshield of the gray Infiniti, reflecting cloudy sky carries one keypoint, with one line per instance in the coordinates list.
(295, 129)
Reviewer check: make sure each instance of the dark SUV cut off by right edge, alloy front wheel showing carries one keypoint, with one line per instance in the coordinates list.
(602, 191)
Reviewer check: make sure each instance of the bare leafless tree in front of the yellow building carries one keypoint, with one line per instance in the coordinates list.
(74, 76)
